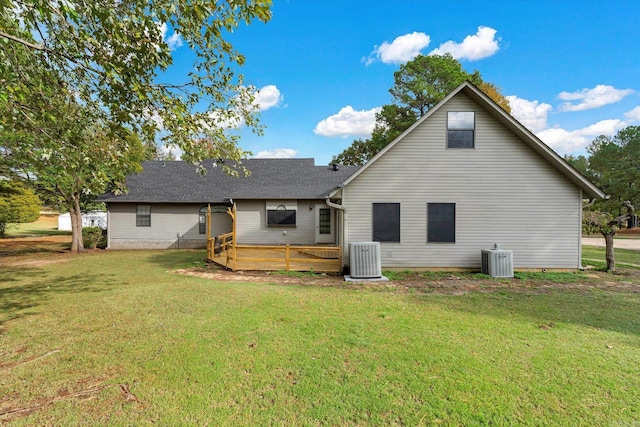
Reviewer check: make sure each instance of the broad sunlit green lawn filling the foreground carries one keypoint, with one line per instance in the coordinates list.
(115, 338)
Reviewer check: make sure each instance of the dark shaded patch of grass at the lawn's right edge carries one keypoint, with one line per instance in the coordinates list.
(610, 310)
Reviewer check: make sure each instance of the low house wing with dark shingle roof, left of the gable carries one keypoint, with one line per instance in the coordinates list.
(283, 201)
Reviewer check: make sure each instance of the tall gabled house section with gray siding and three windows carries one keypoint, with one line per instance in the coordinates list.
(463, 177)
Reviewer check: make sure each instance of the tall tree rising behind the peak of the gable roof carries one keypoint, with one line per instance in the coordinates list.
(418, 86)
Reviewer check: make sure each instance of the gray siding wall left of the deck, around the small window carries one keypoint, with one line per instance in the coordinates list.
(172, 226)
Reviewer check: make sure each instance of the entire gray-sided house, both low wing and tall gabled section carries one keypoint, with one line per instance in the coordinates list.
(463, 177)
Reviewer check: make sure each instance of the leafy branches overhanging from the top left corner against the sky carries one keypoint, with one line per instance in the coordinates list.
(113, 54)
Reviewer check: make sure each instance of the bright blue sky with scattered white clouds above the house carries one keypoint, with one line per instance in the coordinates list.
(323, 68)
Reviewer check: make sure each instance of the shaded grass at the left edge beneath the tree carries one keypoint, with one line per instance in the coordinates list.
(20, 299)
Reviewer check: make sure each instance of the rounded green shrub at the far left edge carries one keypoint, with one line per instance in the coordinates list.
(17, 205)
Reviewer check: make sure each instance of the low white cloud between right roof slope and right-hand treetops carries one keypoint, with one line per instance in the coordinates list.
(566, 142)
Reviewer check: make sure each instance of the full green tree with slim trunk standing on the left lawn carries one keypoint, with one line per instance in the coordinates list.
(66, 149)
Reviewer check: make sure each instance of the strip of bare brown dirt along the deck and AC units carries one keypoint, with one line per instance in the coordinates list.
(627, 280)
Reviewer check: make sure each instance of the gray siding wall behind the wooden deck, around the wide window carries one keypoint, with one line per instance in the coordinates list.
(252, 224)
